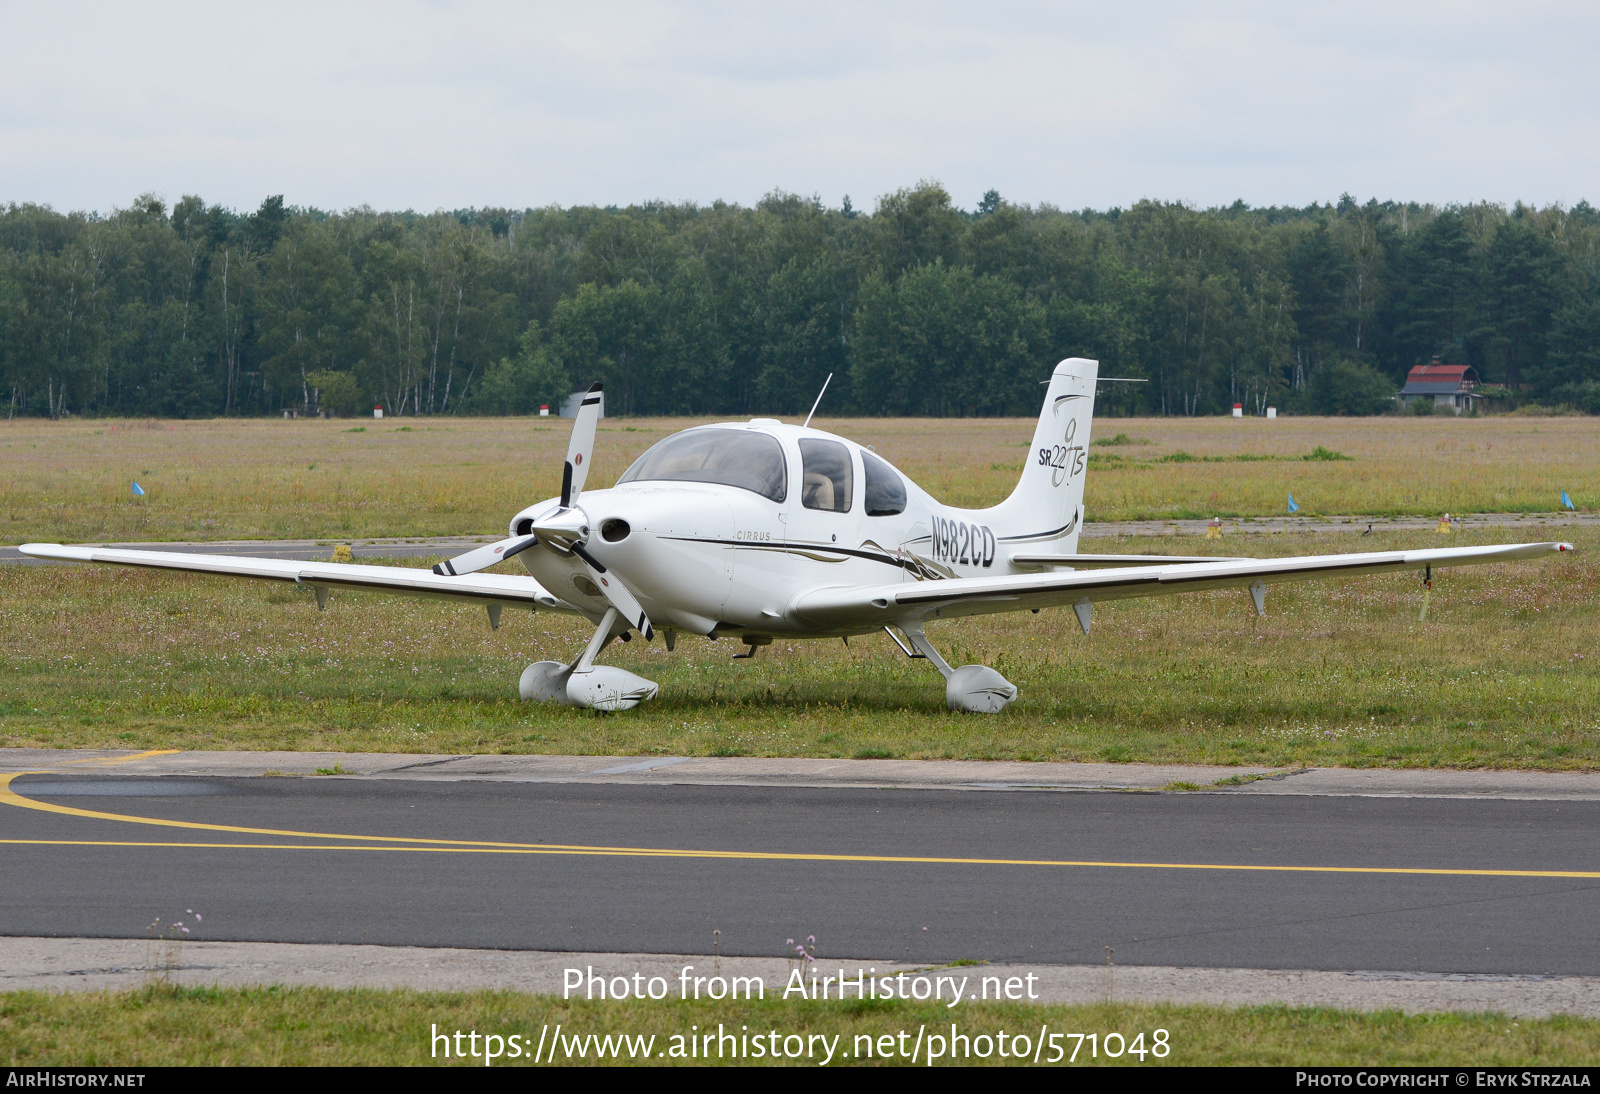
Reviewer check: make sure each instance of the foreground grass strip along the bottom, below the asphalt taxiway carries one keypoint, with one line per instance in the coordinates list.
(316, 1026)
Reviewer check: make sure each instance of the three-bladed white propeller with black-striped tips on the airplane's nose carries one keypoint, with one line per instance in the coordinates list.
(566, 530)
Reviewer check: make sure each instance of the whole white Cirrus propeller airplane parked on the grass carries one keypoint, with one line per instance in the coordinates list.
(761, 530)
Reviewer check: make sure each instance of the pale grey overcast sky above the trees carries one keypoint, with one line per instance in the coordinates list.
(524, 105)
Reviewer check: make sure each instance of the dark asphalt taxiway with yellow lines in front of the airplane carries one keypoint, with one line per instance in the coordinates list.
(649, 858)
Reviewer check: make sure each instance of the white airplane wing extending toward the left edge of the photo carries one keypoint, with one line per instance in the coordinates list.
(479, 589)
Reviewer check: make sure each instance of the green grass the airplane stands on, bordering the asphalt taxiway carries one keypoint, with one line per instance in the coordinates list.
(1340, 674)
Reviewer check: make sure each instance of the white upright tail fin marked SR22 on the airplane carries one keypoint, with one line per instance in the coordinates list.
(1046, 511)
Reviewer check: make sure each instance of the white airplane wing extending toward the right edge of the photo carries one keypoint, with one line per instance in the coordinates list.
(881, 605)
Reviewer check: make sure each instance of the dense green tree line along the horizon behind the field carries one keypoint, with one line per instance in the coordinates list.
(918, 308)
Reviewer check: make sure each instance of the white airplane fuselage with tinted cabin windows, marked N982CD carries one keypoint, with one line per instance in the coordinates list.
(812, 511)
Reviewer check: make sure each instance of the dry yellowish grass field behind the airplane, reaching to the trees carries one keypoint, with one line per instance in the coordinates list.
(71, 482)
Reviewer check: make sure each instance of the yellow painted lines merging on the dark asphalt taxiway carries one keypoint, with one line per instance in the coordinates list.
(332, 842)
